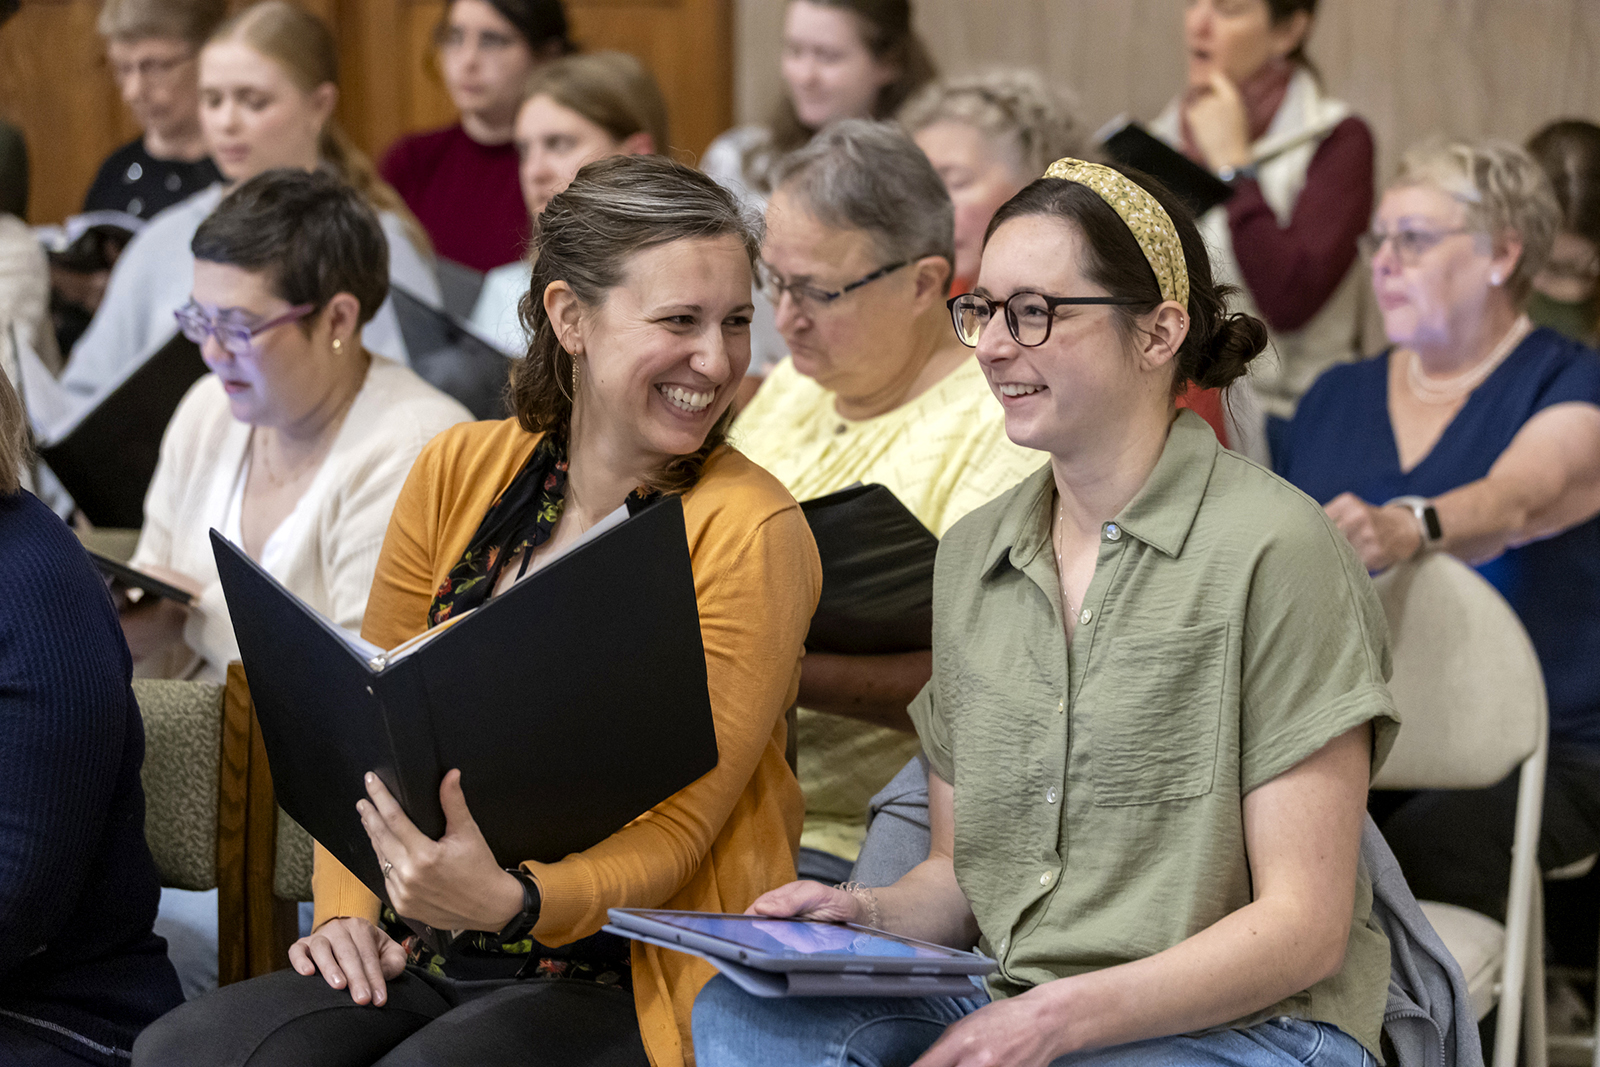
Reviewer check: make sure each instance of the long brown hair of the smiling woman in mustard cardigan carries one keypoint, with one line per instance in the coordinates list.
(588, 234)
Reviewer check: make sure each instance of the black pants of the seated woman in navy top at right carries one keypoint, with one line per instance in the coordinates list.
(1455, 845)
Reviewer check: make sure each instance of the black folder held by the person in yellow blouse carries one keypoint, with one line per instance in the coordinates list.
(878, 573)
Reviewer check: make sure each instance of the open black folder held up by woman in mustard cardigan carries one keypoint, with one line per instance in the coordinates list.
(572, 705)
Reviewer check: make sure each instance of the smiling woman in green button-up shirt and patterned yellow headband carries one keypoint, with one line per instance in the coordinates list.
(1158, 700)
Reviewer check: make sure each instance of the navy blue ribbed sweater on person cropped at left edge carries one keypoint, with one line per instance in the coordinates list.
(79, 965)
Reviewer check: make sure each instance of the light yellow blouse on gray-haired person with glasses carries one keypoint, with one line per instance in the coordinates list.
(943, 455)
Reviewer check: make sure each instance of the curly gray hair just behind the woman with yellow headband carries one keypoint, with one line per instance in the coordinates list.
(1017, 110)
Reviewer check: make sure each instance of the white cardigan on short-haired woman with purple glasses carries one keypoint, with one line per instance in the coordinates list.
(327, 549)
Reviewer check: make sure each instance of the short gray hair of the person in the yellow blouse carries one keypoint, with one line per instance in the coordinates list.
(871, 177)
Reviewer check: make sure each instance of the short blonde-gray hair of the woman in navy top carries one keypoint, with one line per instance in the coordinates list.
(1502, 188)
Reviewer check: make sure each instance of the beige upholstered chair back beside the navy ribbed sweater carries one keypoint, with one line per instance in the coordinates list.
(182, 777)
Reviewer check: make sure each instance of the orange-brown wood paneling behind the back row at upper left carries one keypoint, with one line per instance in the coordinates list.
(57, 87)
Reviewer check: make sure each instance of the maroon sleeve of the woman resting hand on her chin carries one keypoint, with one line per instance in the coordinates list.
(1294, 271)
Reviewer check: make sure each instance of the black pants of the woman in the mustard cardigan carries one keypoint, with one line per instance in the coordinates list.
(298, 1021)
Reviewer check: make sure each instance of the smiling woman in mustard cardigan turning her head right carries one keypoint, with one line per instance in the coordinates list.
(641, 322)
